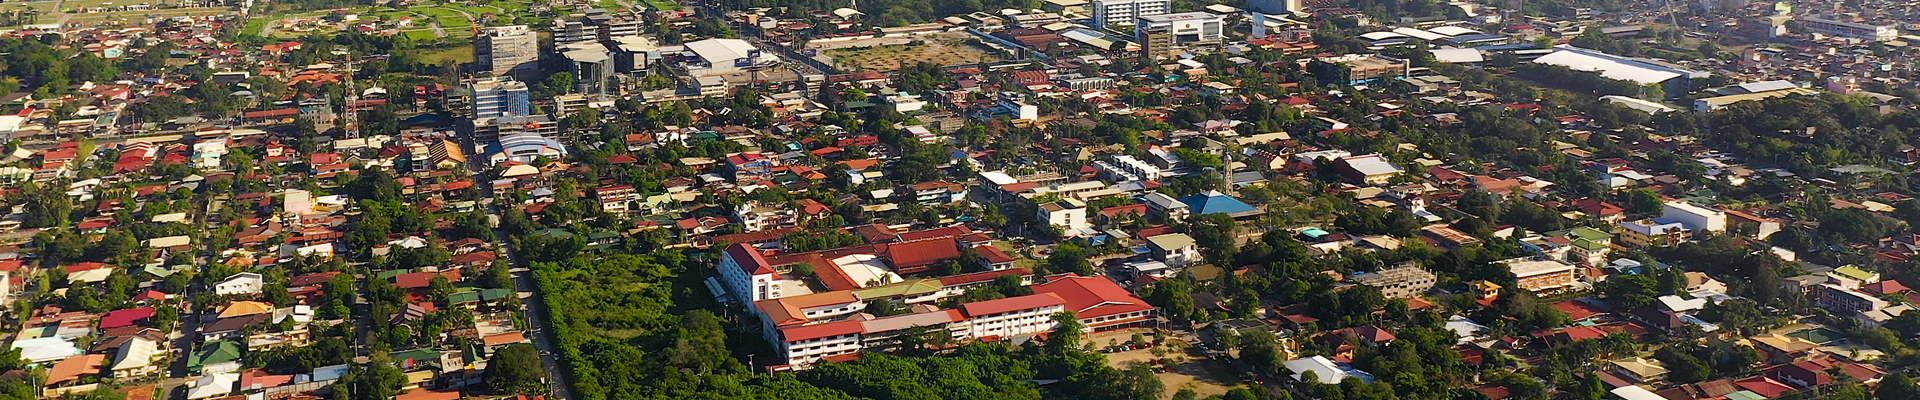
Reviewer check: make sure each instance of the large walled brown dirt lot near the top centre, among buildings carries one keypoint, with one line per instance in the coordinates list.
(890, 55)
